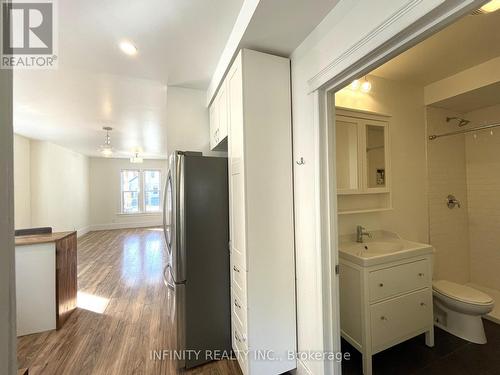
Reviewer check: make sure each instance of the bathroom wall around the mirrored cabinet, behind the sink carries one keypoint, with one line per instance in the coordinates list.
(404, 104)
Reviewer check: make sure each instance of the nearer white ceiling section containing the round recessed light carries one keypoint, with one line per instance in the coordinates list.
(179, 41)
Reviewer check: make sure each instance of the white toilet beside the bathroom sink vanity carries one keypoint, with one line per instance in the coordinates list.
(458, 309)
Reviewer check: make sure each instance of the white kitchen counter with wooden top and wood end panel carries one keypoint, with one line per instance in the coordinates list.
(46, 280)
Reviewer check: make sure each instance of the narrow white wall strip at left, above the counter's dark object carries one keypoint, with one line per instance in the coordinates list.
(22, 182)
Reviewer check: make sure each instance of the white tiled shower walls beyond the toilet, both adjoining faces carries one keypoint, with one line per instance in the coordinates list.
(466, 240)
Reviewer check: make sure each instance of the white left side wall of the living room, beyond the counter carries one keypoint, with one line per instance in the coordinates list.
(59, 188)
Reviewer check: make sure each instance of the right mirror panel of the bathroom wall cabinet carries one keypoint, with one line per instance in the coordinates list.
(375, 156)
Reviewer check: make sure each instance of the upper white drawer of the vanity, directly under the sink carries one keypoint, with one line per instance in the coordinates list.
(399, 279)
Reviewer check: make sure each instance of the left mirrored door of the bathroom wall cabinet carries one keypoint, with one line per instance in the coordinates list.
(347, 154)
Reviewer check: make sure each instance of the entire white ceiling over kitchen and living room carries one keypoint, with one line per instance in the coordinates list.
(179, 43)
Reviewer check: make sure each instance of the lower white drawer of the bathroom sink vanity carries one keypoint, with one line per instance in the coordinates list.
(398, 319)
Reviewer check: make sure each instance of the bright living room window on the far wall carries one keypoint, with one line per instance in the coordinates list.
(140, 191)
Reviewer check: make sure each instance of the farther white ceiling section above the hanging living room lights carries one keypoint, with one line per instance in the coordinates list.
(70, 107)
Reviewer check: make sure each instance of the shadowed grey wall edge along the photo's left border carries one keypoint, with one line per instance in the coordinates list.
(7, 274)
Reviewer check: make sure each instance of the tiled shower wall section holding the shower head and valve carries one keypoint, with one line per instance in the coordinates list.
(448, 229)
